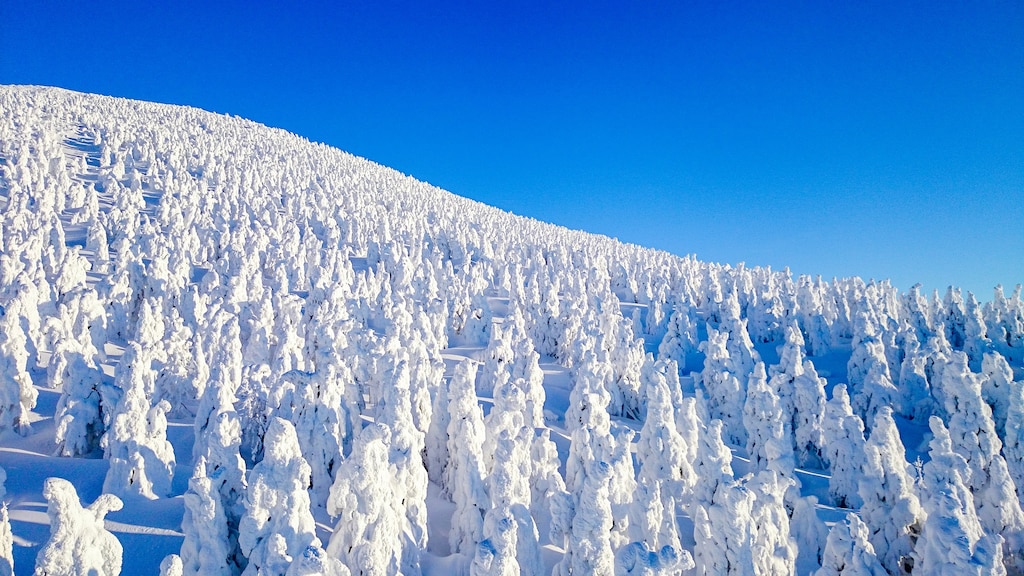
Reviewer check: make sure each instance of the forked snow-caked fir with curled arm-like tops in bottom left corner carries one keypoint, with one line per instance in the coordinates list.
(79, 544)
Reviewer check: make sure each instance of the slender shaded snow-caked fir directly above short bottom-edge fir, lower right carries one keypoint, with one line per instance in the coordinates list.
(844, 437)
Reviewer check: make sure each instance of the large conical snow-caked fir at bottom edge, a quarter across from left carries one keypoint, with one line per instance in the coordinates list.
(277, 504)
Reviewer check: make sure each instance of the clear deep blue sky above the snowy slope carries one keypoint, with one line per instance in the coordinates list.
(878, 139)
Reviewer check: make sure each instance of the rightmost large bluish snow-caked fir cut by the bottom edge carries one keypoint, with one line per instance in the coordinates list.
(952, 540)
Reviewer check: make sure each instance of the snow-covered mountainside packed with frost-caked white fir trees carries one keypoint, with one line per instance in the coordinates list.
(250, 354)
